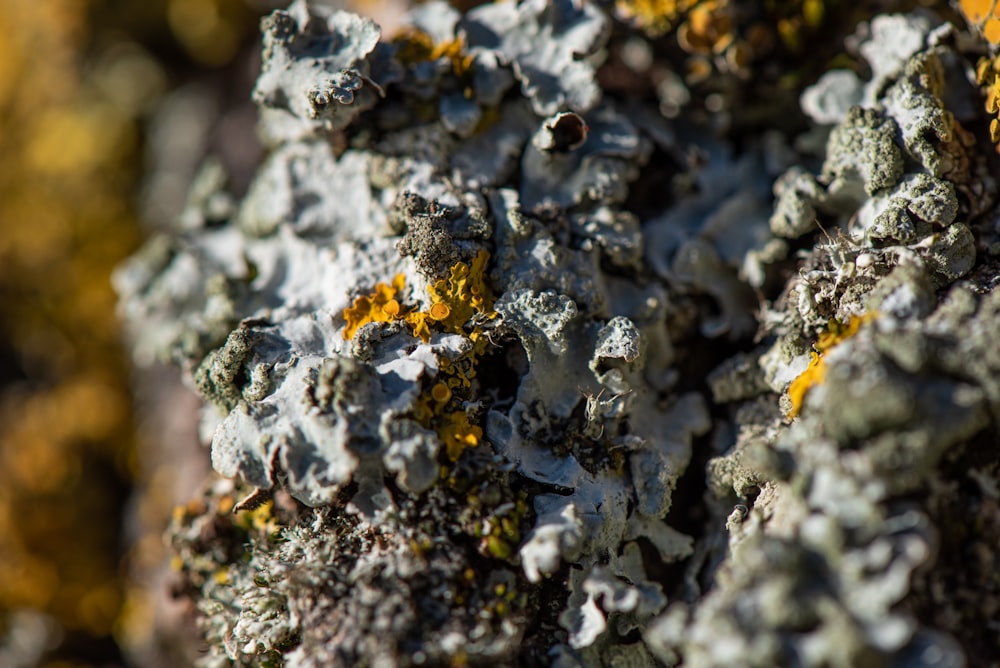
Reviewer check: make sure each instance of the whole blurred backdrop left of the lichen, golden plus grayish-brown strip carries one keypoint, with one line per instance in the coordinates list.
(106, 109)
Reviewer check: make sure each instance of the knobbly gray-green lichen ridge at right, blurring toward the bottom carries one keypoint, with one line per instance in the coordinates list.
(827, 495)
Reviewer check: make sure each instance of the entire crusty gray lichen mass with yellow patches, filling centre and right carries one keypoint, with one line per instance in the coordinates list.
(536, 375)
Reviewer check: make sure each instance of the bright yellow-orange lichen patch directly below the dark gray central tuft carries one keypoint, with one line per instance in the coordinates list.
(454, 300)
